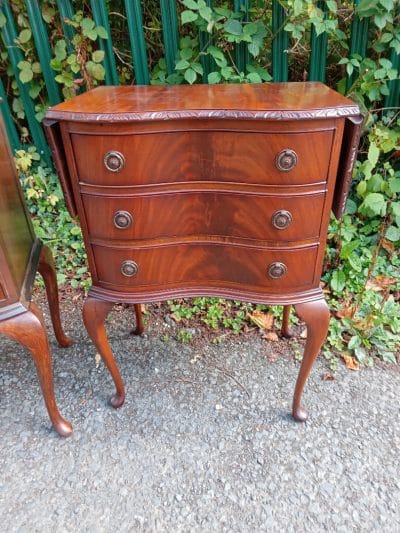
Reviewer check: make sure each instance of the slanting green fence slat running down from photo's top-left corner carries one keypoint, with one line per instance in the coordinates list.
(9, 34)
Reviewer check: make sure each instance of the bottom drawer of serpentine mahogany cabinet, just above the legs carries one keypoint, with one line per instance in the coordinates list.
(205, 264)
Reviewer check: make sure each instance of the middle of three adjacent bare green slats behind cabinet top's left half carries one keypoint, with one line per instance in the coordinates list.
(138, 45)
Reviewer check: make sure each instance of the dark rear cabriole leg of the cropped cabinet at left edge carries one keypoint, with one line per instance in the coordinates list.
(47, 269)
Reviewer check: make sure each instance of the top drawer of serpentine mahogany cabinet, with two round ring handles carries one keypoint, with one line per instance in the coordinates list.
(282, 158)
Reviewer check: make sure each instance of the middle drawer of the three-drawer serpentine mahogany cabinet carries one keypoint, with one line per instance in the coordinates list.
(184, 214)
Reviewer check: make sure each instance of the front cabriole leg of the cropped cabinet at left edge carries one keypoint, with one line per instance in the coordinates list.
(28, 329)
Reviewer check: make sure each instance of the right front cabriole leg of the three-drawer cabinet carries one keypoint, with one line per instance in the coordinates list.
(316, 316)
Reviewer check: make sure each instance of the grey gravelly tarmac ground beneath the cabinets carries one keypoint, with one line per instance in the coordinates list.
(204, 441)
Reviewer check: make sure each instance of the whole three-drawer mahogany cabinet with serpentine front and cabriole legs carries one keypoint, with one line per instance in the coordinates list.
(221, 190)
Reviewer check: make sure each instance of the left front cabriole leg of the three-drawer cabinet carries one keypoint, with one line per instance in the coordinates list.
(94, 314)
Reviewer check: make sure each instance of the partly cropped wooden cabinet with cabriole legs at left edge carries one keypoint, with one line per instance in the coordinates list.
(21, 255)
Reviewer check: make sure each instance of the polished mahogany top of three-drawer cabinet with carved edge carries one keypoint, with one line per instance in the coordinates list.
(273, 101)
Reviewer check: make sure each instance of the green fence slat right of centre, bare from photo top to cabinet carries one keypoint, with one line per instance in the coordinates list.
(280, 43)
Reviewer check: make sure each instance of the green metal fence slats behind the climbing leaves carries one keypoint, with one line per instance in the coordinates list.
(133, 14)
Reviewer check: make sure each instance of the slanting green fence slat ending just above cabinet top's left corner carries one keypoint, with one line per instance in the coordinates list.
(41, 40)
